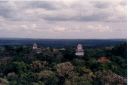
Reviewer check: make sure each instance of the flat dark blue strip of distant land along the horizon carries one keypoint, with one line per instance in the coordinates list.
(62, 42)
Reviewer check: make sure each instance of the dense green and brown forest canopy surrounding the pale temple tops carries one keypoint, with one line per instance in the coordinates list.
(26, 67)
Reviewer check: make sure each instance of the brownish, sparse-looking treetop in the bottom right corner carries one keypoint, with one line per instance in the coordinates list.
(110, 78)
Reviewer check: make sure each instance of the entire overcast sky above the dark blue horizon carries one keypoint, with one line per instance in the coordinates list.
(63, 19)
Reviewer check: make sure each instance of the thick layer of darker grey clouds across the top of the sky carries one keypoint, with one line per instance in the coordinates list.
(67, 11)
